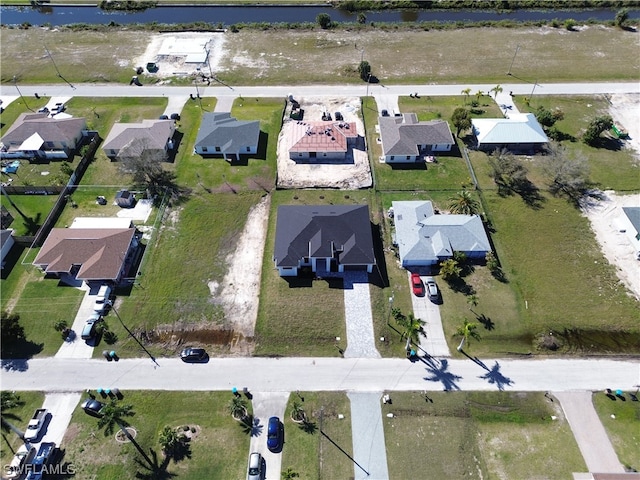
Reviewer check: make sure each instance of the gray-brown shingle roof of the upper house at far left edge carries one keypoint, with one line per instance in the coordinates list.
(50, 129)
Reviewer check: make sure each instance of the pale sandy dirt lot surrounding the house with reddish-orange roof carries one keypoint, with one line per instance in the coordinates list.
(353, 175)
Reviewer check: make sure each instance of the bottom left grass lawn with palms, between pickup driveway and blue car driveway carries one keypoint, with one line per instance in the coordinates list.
(219, 451)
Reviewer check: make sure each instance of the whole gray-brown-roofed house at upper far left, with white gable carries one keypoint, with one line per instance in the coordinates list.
(36, 136)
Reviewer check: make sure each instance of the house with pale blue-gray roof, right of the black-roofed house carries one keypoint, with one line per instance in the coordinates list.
(425, 238)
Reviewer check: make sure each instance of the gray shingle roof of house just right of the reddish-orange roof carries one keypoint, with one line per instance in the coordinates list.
(402, 135)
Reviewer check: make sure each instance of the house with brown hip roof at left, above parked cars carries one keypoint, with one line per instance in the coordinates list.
(89, 254)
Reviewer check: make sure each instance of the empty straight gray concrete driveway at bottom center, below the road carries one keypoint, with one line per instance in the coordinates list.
(367, 432)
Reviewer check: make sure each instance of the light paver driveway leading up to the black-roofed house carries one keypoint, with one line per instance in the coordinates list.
(357, 306)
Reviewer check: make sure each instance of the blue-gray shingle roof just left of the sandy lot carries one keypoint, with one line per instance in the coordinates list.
(222, 130)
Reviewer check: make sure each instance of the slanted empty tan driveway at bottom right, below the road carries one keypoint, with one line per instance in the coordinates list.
(589, 433)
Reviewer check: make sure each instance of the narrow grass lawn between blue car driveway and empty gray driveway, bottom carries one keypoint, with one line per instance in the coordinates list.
(310, 453)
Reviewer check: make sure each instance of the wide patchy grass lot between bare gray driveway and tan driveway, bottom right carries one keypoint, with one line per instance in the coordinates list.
(478, 435)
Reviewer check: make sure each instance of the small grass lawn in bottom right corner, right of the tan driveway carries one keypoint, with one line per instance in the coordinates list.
(621, 420)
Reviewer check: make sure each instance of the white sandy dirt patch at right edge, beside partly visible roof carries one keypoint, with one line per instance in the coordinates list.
(605, 216)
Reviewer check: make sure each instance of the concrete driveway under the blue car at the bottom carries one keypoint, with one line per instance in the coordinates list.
(266, 405)
